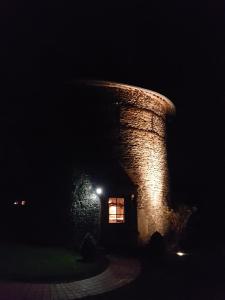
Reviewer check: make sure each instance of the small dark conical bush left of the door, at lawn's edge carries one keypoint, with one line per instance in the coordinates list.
(88, 248)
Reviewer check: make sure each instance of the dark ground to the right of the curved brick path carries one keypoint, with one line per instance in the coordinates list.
(199, 275)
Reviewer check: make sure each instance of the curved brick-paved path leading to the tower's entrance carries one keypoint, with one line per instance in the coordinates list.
(121, 271)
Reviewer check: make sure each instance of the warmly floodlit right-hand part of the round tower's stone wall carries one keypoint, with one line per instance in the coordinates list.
(141, 145)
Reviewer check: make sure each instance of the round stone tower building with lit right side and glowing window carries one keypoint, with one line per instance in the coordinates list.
(131, 166)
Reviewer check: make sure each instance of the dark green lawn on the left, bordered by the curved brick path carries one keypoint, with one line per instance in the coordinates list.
(45, 264)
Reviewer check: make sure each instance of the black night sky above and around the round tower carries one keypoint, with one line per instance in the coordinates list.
(174, 47)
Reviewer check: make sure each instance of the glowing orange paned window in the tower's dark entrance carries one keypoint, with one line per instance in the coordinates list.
(116, 210)
